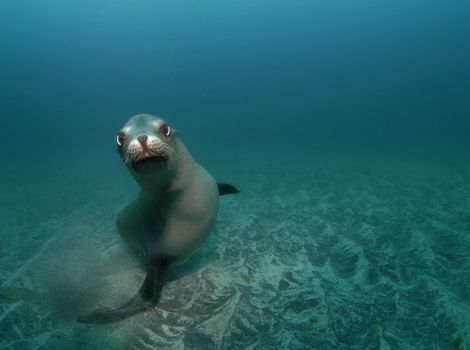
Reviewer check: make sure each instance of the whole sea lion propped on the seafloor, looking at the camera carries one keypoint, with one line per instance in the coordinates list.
(174, 212)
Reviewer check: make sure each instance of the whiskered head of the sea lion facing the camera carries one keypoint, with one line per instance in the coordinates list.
(146, 143)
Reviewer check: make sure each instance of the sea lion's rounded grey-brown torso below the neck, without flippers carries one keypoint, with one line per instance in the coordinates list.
(172, 223)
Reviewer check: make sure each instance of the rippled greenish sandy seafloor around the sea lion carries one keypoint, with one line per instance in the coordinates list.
(315, 253)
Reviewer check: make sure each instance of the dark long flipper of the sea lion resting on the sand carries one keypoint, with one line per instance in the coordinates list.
(147, 297)
